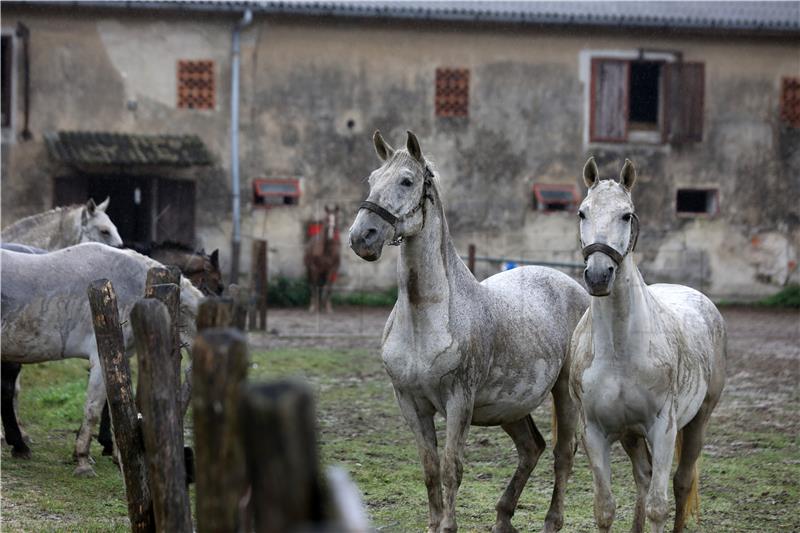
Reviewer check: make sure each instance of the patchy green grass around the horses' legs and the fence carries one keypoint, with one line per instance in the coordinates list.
(360, 428)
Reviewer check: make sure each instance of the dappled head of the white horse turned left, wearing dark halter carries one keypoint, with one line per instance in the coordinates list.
(397, 192)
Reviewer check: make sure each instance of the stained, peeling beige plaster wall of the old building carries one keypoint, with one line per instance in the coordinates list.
(314, 90)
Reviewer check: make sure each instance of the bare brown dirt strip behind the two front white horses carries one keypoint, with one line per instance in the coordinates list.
(763, 376)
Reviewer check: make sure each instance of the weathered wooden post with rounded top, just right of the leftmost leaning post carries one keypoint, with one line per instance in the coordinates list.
(161, 416)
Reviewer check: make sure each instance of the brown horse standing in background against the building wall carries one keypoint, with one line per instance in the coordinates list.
(322, 258)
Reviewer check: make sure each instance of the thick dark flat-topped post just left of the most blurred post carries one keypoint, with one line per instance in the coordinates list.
(219, 367)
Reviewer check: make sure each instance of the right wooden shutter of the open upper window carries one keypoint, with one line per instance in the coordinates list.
(685, 88)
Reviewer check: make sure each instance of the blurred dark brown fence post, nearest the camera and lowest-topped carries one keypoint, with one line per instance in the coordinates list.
(281, 456)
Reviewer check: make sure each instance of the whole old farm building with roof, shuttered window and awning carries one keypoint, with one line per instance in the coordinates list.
(133, 100)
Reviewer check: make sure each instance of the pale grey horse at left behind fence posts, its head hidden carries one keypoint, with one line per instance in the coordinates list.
(46, 315)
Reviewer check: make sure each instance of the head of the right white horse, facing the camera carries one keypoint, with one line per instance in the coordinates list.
(608, 225)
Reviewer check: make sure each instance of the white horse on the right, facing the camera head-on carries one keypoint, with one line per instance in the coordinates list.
(648, 363)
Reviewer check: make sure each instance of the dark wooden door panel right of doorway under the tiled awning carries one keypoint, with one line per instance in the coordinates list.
(175, 214)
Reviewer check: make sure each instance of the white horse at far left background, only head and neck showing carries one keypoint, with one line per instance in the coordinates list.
(65, 226)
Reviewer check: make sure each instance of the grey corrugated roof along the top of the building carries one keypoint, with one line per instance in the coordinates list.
(755, 16)
